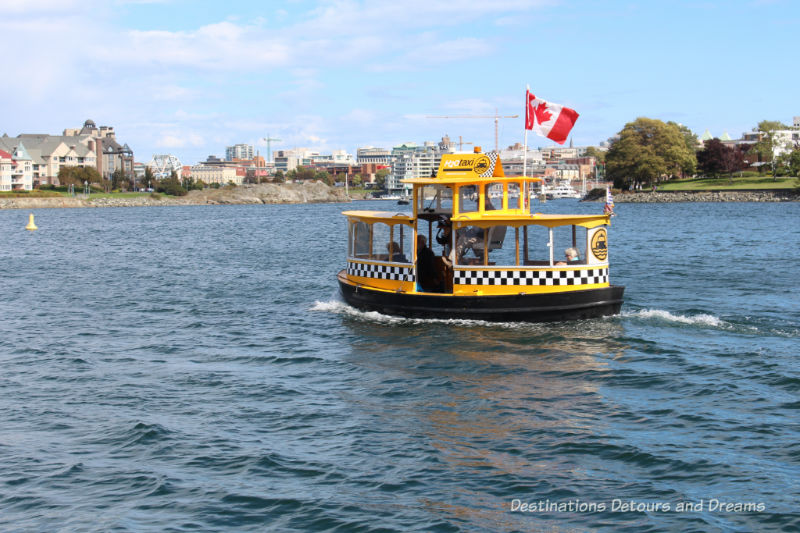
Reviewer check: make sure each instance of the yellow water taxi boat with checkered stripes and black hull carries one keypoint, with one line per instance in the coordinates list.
(472, 249)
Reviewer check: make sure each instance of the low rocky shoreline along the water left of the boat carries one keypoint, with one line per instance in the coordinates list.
(268, 193)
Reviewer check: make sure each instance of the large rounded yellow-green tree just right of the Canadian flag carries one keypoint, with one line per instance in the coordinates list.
(647, 151)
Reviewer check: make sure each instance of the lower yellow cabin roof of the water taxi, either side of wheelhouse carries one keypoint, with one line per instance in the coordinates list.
(489, 218)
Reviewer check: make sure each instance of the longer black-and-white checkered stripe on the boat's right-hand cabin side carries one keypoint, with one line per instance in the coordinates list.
(531, 277)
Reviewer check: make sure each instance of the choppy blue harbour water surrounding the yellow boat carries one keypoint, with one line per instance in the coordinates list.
(192, 368)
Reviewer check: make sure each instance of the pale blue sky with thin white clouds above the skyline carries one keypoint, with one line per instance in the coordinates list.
(190, 77)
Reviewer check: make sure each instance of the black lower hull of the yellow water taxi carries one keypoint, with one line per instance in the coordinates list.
(551, 307)
